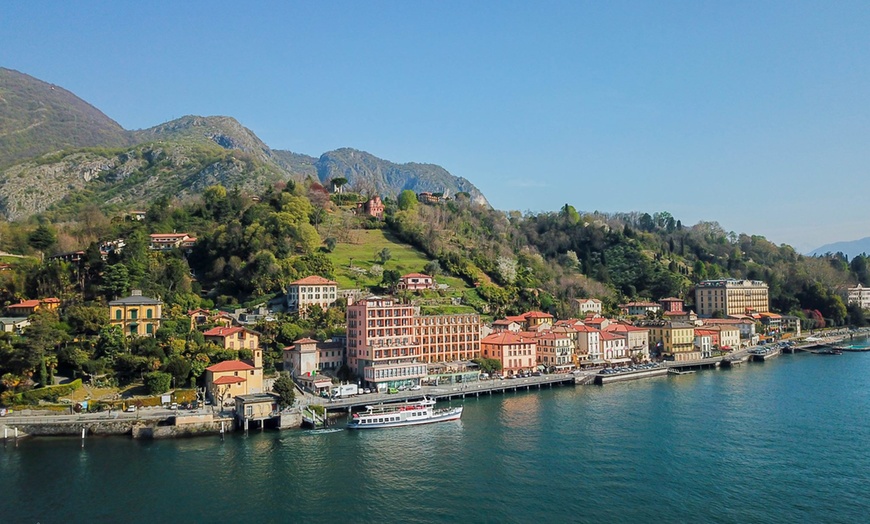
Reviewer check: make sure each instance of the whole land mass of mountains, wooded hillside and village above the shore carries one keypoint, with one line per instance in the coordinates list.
(192, 256)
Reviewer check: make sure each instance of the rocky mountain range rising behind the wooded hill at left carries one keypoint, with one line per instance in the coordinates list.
(57, 150)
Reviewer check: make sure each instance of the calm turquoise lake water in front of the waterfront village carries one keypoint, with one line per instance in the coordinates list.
(781, 441)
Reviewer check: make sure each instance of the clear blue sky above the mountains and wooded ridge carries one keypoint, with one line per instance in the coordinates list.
(752, 114)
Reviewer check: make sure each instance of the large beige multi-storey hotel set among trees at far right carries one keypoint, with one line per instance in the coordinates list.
(731, 297)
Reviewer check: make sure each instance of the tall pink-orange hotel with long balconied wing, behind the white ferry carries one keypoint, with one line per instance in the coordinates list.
(389, 343)
